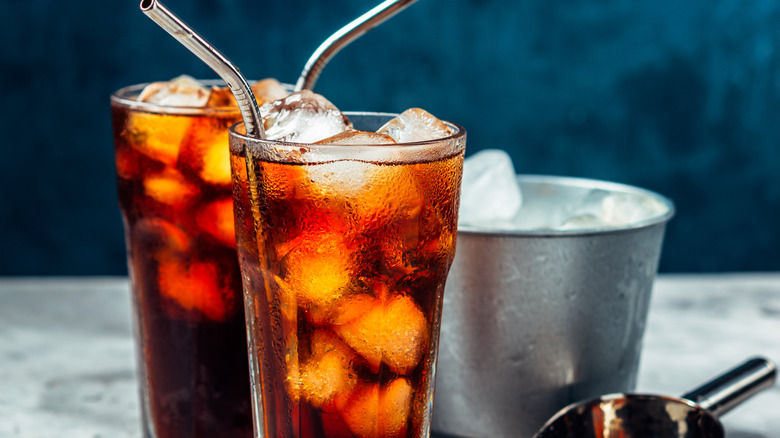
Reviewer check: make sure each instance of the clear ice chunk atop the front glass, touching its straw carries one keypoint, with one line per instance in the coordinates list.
(302, 117)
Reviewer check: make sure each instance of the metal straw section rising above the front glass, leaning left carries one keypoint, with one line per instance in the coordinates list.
(214, 59)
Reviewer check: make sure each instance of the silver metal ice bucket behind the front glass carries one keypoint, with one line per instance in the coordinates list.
(535, 320)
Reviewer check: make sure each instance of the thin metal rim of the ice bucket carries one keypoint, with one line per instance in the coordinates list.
(588, 183)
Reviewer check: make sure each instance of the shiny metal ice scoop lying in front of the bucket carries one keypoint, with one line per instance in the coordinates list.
(695, 414)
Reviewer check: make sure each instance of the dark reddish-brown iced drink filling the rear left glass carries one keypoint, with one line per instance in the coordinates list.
(183, 267)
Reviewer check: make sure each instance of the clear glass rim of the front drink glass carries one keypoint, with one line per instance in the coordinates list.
(458, 134)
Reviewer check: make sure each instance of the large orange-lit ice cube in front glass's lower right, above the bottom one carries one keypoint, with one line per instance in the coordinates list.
(394, 332)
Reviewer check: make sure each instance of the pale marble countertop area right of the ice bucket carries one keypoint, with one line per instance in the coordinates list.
(700, 326)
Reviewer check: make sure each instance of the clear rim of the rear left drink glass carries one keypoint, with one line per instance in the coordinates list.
(121, 97)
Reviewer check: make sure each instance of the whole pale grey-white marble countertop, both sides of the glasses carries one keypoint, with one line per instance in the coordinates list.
(67, 358)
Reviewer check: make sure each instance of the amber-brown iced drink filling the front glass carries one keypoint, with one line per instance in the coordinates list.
(346, 291)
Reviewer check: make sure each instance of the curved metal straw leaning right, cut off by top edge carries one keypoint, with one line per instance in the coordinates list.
(345, 35)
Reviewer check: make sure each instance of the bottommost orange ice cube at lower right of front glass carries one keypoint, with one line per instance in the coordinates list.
(374, 411)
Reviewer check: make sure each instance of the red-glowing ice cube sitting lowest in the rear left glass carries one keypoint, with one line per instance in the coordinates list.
(197, 287)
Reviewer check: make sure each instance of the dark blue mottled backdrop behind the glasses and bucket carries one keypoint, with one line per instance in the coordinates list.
(681, 97)
